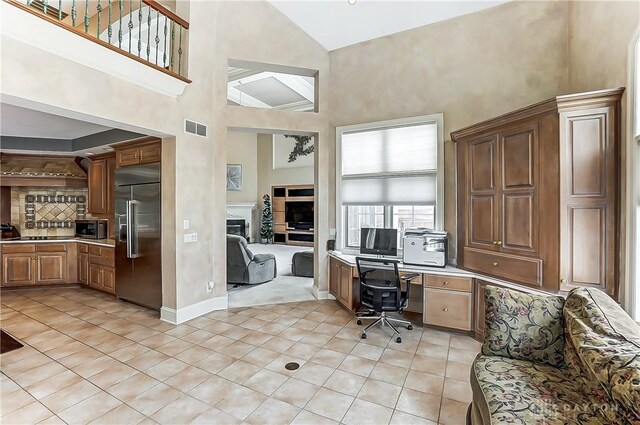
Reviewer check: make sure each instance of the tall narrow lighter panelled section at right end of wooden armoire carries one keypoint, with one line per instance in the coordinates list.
(589, 196)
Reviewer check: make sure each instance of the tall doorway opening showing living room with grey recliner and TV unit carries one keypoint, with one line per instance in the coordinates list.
(270, 217)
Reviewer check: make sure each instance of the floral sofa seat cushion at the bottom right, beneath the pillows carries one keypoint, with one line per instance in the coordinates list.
(509, 391)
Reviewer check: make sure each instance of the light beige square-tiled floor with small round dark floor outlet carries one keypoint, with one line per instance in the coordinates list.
(89, 358)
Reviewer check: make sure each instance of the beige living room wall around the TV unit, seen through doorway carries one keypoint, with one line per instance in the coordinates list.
(268, 177)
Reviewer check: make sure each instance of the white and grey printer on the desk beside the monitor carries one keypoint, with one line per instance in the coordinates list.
(424, 247)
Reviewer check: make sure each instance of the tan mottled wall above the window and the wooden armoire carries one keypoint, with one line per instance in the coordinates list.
(469, 68)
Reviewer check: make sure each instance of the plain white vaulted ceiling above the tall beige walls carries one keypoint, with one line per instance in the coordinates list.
(337, 23)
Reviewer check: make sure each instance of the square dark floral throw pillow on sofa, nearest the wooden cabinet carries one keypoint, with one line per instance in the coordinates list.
(523, 326)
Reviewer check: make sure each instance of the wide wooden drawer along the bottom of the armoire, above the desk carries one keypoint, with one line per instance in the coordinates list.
(509, 267)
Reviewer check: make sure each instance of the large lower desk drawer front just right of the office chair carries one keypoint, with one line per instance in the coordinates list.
(449, 309)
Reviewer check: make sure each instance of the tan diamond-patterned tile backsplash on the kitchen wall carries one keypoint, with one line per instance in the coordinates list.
(42, 211)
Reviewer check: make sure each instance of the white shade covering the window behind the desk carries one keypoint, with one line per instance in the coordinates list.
(390, 166)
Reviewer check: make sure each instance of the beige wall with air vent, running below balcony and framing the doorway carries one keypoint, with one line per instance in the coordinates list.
(194, 169)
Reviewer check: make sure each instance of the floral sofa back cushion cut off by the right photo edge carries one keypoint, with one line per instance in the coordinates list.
(603, 347)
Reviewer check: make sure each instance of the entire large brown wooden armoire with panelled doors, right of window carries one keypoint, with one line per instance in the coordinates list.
(538, 193)
